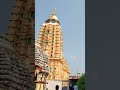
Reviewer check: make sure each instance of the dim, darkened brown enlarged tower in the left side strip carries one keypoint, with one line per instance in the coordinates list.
(21, 31)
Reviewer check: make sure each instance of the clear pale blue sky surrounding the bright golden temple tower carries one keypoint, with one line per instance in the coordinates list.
(71, 14)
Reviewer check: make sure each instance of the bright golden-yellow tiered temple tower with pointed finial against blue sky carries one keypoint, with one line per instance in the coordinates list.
(50, 40)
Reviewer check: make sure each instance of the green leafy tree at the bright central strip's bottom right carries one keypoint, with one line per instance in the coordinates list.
(81, 83)
